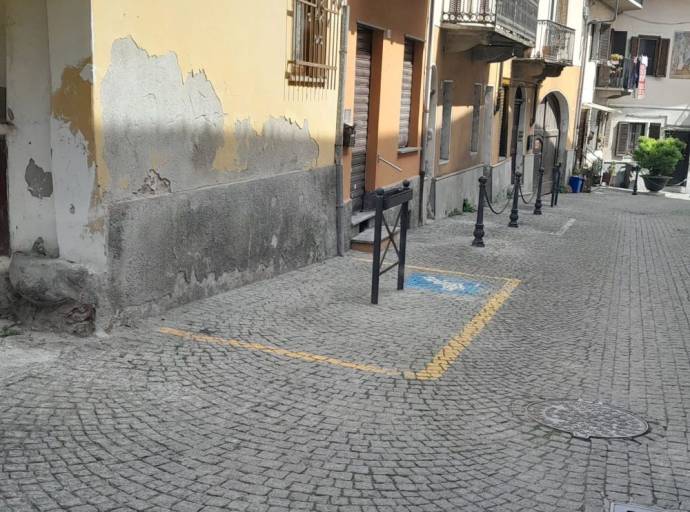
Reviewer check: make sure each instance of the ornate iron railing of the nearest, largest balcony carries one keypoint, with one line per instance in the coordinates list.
(515, 19)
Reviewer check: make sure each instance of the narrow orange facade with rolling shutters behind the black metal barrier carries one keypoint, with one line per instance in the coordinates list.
(383, 106)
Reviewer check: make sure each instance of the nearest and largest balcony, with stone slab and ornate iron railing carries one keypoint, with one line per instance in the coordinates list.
(502, 23)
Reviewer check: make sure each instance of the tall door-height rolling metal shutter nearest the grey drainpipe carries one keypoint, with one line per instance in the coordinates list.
(361, 116)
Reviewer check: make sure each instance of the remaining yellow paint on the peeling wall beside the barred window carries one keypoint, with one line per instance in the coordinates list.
(242, 47)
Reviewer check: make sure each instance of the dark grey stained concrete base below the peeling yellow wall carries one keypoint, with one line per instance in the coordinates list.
(173, 248)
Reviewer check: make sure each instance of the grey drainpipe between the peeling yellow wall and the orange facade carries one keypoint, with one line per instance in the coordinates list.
(338, 156)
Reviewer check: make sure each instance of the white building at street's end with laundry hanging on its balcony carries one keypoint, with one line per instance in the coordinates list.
(621, 103)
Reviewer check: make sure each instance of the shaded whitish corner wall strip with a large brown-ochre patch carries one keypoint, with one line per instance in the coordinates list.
(78, 210)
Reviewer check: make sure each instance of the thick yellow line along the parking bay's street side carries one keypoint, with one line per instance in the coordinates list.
(449, 354)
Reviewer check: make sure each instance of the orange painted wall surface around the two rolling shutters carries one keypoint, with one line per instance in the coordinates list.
(403, 18)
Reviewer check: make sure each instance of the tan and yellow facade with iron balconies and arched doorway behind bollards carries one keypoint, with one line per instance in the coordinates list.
(502, 69)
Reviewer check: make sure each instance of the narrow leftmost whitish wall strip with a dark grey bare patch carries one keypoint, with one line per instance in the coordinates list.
(32, 215)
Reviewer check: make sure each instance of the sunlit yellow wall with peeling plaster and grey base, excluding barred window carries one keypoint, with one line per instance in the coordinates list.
(213, 171)
